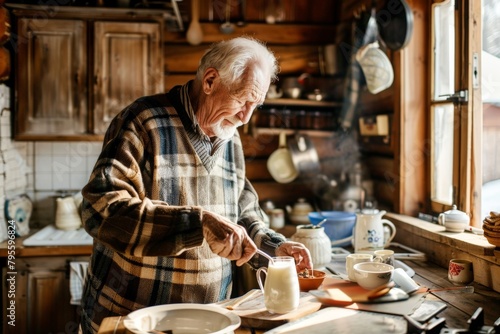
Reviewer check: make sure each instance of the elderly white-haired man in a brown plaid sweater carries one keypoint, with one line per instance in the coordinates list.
(168, 203)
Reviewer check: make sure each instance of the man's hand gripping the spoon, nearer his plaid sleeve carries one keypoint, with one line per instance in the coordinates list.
(227, 239)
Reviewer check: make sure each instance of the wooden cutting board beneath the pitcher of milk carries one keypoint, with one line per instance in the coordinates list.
(253, 313)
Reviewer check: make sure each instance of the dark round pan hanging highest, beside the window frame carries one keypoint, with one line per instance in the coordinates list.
(395, 24)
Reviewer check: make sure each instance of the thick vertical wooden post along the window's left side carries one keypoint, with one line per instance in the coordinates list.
(411, 106)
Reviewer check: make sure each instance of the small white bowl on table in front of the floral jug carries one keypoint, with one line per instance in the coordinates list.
(370, 275)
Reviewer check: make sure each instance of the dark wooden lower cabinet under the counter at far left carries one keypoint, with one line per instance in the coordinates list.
(42, 296)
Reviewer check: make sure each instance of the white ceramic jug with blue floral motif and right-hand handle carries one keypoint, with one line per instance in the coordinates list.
(369, 232)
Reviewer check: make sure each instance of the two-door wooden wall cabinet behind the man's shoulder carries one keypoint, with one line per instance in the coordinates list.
(74, 73)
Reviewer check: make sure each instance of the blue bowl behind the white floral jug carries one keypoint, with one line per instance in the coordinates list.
(339, 224)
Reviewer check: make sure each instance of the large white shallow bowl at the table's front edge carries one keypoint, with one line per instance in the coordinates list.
(183, 318)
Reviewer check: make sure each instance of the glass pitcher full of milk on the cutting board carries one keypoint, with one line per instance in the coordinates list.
(281, 287)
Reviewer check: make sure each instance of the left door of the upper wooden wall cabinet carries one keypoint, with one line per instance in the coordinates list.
(52, 77)
